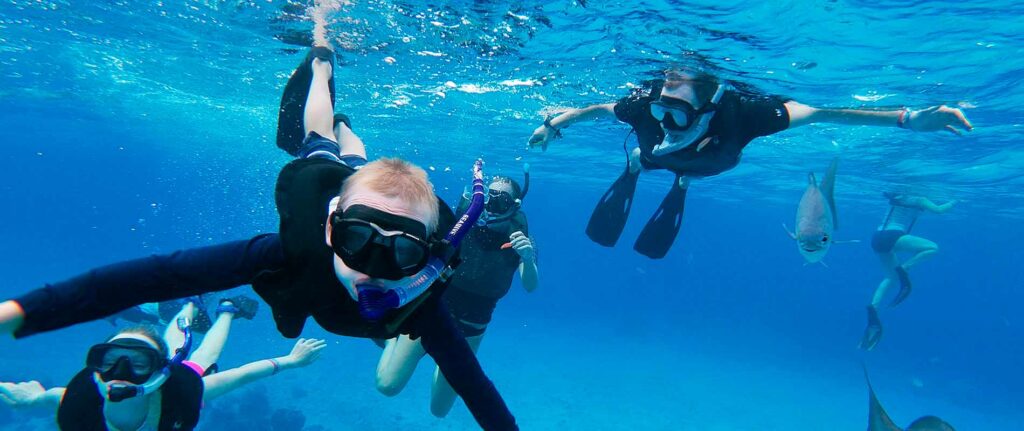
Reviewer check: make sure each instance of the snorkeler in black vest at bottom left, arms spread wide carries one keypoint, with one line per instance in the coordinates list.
(135, 382)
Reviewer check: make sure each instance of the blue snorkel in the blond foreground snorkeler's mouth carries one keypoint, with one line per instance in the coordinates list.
(374, 304)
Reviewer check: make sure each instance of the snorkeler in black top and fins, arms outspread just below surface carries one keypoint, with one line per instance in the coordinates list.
(695, 125)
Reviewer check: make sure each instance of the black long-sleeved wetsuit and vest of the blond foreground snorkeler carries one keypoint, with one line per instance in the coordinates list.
(293, 272)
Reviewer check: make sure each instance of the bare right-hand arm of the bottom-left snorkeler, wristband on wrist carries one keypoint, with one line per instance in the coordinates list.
(307, 352)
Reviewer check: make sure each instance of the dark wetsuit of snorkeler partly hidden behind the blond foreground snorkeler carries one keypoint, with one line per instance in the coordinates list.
(485, 276)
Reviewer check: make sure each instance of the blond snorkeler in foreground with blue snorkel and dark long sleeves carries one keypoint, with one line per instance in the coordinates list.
(366, 253)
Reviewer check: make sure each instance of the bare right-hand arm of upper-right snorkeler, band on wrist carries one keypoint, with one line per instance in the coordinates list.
(928, 120)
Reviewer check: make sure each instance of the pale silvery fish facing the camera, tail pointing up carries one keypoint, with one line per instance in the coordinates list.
(817, 218)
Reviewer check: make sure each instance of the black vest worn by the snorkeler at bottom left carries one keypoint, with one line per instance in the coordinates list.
(181, 401)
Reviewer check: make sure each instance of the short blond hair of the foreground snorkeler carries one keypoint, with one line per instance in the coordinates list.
(395, 179)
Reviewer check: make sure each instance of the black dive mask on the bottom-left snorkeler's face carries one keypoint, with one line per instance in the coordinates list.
(126, 360)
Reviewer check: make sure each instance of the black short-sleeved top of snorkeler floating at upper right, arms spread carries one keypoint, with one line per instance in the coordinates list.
(740, 119)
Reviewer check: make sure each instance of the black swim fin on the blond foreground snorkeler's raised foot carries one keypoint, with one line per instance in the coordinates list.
(291, 133)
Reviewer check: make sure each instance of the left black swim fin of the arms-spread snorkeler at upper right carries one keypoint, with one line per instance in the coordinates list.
(610, 217)
